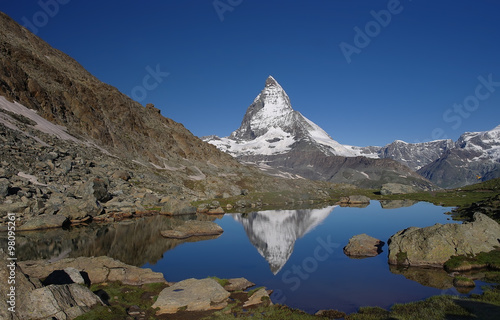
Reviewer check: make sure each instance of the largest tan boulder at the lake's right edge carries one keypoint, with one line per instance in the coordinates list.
(434, 245)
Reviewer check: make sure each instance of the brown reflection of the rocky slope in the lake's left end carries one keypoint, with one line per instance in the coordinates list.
(134, 242)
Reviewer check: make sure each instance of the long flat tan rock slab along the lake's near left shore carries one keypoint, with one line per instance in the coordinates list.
(98, 269)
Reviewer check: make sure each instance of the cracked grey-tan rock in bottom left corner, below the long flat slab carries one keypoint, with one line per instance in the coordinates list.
(61, 302)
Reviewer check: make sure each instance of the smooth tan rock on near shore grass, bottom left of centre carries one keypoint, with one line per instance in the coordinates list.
(195, 295)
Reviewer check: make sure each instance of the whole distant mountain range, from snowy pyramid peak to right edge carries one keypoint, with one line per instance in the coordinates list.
(281, 141)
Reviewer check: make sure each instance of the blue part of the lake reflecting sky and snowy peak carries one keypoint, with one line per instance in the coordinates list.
(311, 277)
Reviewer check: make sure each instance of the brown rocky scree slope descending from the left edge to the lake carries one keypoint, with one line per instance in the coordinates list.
(76, 147)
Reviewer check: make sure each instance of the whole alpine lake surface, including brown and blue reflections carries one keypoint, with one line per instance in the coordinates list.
(296, 253)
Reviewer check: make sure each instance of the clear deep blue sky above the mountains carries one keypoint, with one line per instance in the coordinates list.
(402, 84)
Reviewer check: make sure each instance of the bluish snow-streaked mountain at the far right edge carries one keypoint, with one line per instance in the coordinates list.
(475, 157)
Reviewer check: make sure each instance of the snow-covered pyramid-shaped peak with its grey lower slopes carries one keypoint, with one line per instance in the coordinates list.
(281, 141)
